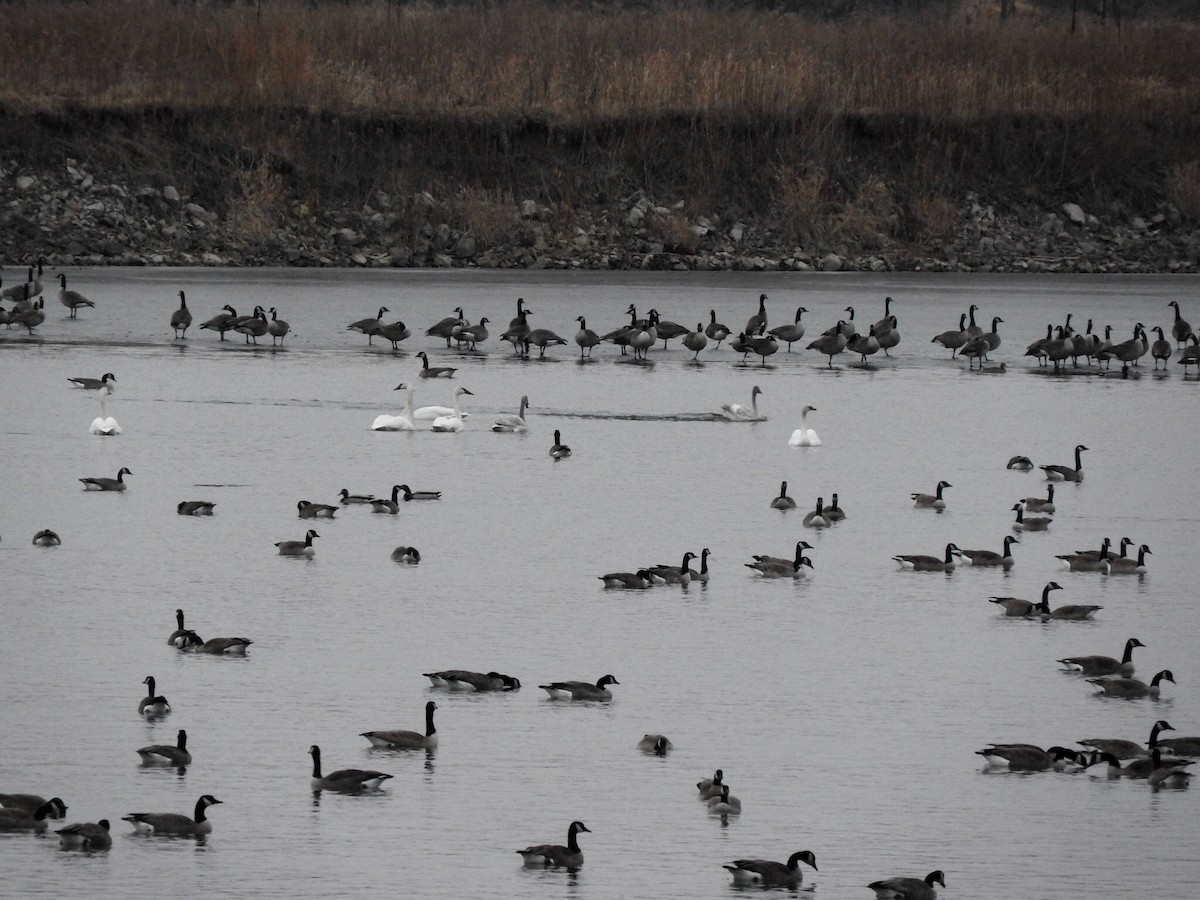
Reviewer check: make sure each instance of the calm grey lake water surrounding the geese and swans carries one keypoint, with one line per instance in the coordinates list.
(845, 709)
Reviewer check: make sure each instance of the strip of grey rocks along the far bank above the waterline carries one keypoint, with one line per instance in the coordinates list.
(70, 215)
